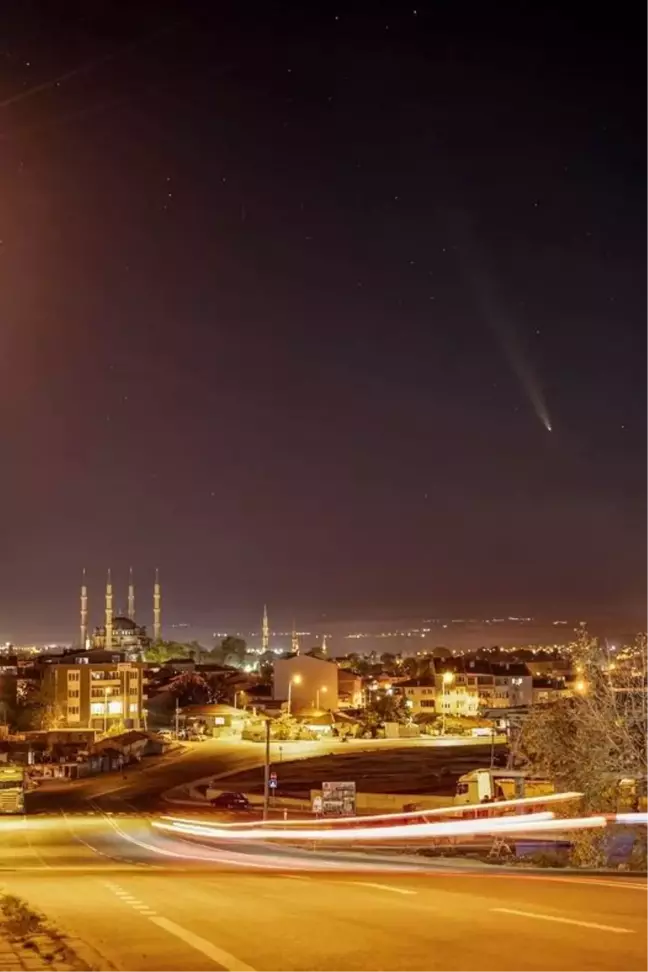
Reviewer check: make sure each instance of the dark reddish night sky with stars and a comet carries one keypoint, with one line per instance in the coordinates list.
(288, 299)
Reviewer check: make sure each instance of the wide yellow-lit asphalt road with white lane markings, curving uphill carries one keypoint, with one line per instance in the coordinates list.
(142, 900)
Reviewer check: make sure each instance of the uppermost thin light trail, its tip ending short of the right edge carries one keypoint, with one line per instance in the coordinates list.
(410, 815)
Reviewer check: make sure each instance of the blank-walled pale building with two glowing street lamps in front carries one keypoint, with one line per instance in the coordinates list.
(306, 682)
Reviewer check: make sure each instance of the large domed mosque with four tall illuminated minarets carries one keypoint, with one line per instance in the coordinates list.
(121, 631)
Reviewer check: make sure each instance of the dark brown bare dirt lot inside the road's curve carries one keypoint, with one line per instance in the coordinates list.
(419, 771)
